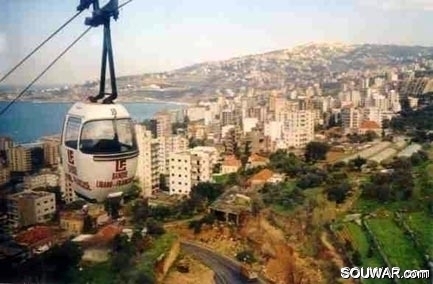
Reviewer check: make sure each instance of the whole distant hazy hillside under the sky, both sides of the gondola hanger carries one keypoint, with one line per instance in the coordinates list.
(283, 70)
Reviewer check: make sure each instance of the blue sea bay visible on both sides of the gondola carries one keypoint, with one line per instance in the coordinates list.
(26, 122)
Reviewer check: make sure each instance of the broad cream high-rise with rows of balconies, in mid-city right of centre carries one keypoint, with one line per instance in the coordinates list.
(299, 128)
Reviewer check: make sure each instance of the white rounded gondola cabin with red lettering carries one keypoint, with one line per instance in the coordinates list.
(99, 150)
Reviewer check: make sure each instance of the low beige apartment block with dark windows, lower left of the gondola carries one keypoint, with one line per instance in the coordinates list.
(29, 208)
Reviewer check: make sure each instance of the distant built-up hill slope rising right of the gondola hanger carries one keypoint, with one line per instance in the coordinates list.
(289, 68)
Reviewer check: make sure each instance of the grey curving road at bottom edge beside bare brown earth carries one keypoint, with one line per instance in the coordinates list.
(226, 270)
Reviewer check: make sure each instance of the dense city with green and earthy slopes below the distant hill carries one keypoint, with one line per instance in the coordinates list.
(292, 184)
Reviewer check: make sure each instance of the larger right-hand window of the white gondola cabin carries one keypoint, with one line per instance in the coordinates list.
(108, 136)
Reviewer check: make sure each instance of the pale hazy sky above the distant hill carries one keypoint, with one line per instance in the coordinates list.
(155, 36)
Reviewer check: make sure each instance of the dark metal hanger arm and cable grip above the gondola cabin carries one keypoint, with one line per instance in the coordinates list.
(102, 16)
